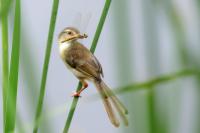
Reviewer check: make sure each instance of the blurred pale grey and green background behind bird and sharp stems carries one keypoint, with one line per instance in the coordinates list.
(141, 40)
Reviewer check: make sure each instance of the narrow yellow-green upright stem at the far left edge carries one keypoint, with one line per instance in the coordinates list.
(5, 67)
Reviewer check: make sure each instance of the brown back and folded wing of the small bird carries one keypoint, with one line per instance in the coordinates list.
(80, 58)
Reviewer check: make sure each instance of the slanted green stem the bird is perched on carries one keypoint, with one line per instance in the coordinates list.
(92, 49)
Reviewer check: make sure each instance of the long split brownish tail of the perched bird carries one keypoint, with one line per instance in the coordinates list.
(108, 96)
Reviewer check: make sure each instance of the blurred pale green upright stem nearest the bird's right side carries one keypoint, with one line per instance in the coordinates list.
(123, 41)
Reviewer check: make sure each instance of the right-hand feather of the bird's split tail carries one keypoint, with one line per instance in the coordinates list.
(107, 93)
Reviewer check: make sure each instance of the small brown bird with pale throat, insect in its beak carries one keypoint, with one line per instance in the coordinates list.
(85, 66)
